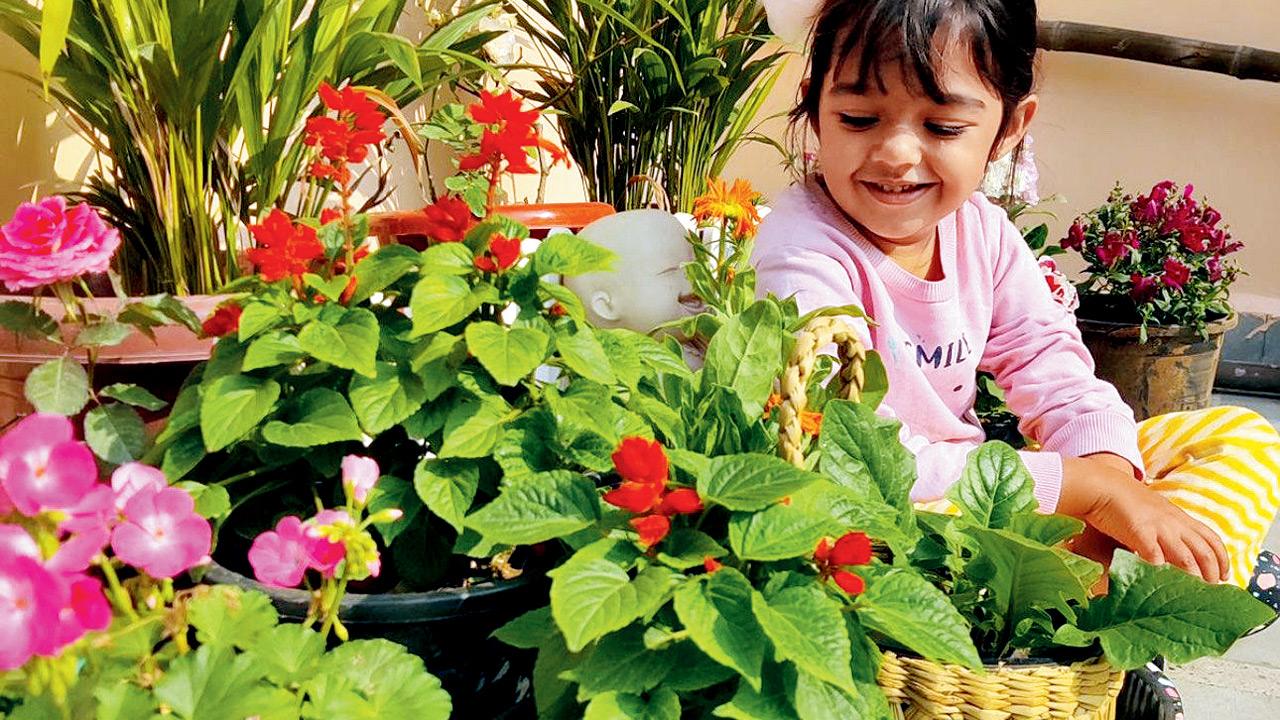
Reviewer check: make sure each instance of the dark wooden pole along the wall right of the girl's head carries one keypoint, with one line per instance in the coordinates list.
(1236, 61)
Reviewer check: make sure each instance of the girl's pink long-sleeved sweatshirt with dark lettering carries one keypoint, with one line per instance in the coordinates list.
(993, 312)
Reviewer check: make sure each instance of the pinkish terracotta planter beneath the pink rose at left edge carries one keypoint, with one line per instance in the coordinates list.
(158, 366)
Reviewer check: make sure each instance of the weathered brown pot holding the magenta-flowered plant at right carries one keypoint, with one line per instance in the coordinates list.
(1171, 373)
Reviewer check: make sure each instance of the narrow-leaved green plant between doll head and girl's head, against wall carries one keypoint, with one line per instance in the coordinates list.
(666, 89)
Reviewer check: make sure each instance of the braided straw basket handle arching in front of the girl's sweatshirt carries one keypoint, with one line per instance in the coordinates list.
(848, 384)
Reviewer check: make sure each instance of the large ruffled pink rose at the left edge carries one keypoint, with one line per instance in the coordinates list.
(45, 244)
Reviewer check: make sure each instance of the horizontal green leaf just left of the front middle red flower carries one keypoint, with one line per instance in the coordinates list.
(546, 507)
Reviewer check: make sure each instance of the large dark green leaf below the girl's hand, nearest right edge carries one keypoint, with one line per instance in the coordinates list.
(1164, 612)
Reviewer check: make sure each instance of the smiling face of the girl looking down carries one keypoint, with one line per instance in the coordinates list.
(897, 162)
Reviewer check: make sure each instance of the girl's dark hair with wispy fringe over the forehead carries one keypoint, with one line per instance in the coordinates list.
(1002, 35)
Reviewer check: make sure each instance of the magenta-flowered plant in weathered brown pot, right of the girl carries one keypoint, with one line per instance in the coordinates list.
(1154, 307)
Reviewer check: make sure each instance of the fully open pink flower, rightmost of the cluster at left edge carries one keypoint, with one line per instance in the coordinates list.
(162, 534)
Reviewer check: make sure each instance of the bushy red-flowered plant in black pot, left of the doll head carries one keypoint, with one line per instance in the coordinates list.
(459, 370)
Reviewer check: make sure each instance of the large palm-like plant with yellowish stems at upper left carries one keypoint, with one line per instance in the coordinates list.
(198, 107)
